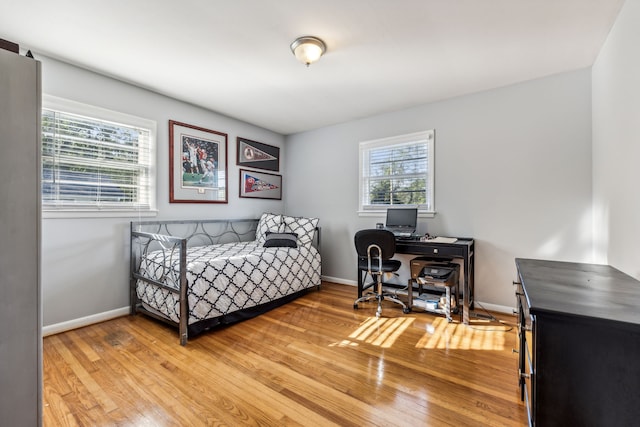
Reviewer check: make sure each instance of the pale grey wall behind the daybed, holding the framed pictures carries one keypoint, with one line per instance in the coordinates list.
(85, 264)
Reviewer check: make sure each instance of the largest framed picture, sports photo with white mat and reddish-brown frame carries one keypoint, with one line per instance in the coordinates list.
(197, 164)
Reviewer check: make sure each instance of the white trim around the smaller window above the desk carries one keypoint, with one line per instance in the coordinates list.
(428, 135)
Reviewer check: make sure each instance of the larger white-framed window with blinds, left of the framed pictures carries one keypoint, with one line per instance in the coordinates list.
(96, 160)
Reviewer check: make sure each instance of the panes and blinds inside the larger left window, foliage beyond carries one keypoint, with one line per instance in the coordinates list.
(89, 161)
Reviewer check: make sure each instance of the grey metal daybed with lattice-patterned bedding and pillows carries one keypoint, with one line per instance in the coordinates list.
(200, 274)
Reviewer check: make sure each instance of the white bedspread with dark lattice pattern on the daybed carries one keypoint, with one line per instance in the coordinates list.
(225, 278)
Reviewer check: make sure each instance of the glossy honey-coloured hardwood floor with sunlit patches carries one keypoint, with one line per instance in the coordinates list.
(313, 362)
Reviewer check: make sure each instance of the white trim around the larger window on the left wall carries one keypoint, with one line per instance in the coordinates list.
(65, 105)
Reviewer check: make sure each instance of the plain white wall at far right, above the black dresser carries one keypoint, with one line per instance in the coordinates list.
(616, 145)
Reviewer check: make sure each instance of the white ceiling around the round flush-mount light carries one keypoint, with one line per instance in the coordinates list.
(233, 57)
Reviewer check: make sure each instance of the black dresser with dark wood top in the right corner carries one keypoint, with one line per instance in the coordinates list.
(579, 344)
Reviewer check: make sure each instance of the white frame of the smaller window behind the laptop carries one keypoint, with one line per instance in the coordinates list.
(428, 136)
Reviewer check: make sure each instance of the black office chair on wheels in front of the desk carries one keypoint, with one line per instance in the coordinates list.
(375, 248)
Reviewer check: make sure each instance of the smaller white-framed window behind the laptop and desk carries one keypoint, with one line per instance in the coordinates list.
(397, 171)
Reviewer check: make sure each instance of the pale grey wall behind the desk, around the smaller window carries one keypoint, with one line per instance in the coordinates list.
(513, 171)
